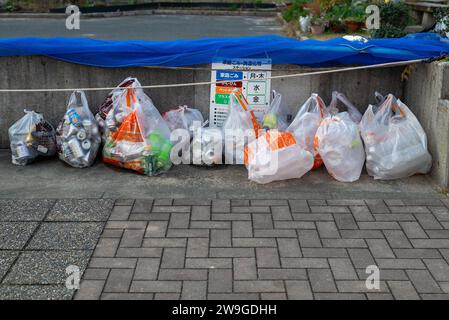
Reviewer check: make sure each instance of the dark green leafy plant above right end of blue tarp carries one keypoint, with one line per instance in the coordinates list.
(394, 18)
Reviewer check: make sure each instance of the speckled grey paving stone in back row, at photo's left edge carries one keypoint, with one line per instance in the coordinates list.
(24, 210)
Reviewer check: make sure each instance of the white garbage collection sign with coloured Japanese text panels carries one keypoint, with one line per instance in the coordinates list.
(250, 75)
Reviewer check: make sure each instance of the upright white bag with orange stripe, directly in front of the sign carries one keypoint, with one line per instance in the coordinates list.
(240, 128)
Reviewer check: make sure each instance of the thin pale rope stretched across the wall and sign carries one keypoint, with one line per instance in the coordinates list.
(193, 84)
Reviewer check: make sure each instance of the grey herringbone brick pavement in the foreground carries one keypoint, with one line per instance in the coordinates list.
(271, 249)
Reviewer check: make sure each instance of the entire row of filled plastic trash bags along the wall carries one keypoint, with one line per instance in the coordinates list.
(387, 138)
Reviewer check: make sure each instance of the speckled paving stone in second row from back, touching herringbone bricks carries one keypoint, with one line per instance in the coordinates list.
(66, 236)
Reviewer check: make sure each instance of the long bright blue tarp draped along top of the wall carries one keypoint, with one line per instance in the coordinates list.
(280, 50)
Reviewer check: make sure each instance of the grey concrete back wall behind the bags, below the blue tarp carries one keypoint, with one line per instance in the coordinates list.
(41, 72)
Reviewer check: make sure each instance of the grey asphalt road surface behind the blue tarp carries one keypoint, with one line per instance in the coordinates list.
(152, 27)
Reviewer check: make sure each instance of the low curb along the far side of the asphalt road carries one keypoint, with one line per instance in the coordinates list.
(143, 13)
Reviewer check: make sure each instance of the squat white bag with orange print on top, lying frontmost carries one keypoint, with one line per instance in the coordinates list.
(276, 156)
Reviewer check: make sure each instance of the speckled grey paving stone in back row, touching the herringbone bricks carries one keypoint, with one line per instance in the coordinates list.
(81, 210)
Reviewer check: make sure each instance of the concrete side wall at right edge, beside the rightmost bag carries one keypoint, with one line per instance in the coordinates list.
(427, 94)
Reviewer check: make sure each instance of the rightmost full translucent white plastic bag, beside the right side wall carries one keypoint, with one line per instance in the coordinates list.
(395, 142)
